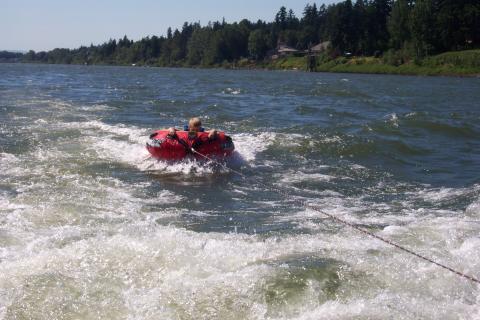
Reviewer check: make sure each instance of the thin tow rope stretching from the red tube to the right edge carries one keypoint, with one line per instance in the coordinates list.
(344, 222)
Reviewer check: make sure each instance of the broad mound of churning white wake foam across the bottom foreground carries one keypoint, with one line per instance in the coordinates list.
(190, 269)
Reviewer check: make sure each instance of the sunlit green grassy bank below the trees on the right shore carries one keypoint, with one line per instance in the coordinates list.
(460, 63)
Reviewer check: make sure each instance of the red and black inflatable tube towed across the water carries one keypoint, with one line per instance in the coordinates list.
(164, 147)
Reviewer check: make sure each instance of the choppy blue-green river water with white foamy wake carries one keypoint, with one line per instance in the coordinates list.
(91, 230)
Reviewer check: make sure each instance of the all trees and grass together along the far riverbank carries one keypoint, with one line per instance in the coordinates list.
(380, 36)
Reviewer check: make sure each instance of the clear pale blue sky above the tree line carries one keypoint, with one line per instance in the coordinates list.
(48, 24)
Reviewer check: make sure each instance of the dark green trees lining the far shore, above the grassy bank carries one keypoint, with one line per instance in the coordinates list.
(407, 29)
